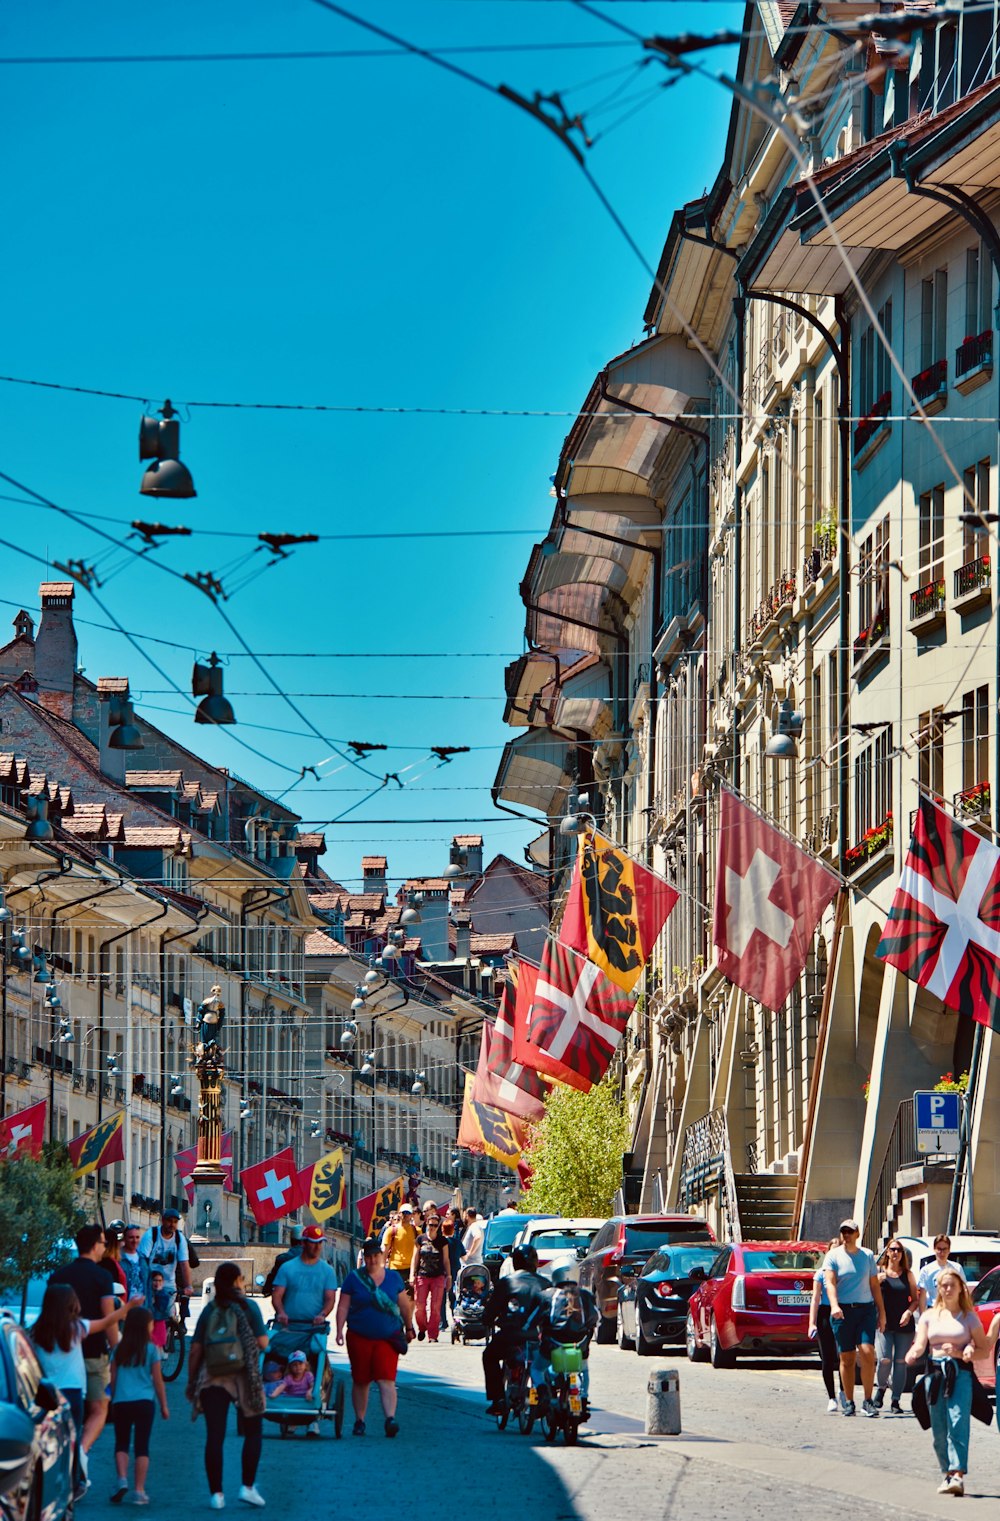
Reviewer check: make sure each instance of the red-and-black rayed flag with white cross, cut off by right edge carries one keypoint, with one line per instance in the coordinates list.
(944, 924)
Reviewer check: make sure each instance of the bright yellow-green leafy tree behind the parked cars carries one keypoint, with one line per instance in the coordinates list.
(576, 1152)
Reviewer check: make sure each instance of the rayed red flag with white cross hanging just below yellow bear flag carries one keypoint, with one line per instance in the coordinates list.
(568, 1018)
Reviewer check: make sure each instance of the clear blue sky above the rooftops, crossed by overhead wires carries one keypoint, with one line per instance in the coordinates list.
(352, 232)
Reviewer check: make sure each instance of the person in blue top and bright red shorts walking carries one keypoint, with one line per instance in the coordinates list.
(377, 1310)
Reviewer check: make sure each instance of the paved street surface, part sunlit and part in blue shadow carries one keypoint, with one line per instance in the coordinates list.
(757, 1443)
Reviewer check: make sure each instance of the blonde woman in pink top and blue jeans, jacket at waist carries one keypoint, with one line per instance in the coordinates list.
(952, 1335)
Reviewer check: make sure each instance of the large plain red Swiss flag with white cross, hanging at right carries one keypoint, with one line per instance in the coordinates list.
(769, 898)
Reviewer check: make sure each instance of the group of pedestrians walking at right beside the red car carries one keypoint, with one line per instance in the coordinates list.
(877, 1315)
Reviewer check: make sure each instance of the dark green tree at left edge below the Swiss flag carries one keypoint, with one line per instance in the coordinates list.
(39, 1210)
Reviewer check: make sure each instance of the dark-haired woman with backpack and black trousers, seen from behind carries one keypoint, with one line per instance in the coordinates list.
(223, 1371)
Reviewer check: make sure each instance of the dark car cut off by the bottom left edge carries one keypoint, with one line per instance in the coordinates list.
(36, 1437)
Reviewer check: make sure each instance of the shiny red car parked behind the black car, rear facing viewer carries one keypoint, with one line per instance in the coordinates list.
(756, 1300)
